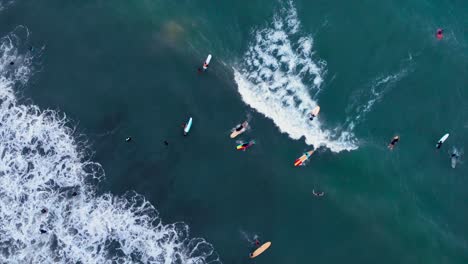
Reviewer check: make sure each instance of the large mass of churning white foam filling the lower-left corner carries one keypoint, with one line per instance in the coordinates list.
(41, 165)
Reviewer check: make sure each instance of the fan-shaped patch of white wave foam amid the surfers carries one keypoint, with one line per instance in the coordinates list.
(276, 75)
